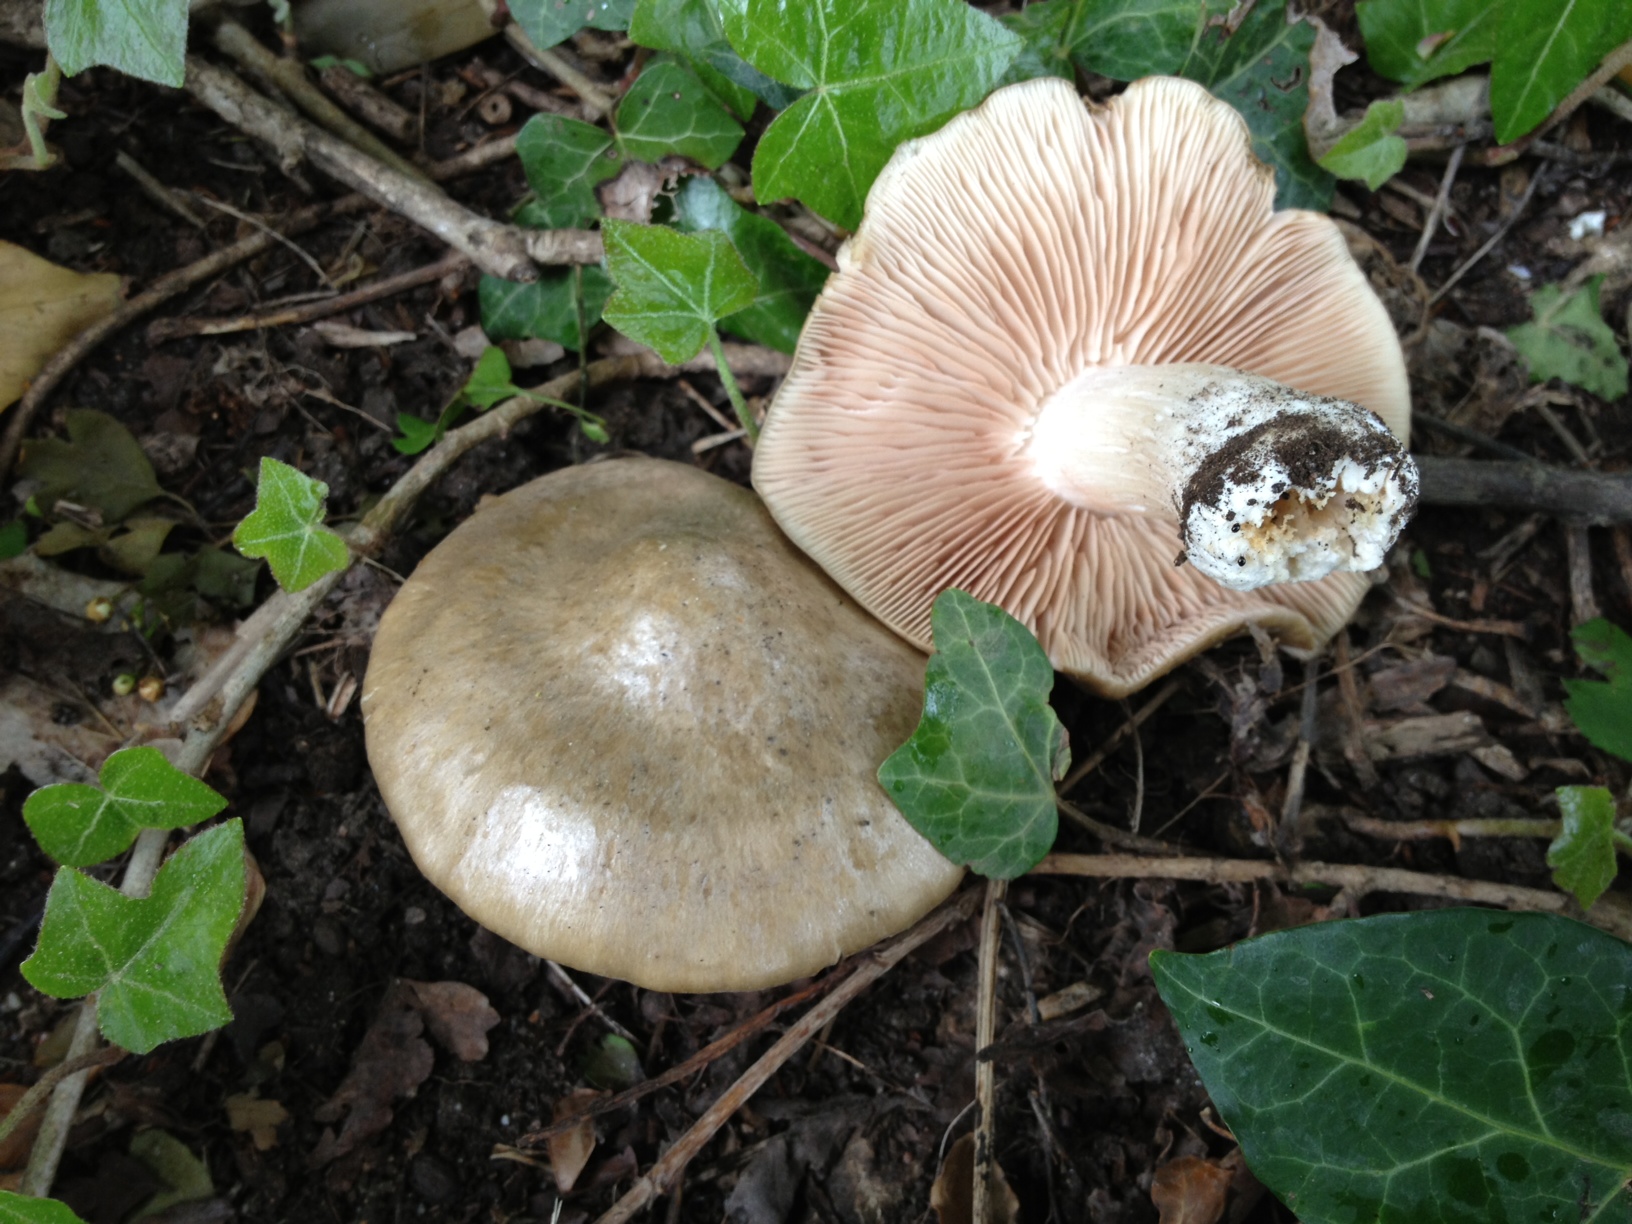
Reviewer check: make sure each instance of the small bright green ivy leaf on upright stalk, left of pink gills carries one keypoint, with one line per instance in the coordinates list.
(673, 288)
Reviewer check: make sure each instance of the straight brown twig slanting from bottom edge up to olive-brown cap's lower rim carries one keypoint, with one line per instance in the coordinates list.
(874, 965)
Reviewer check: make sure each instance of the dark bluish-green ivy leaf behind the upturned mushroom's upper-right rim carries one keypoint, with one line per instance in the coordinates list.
(1264, 73)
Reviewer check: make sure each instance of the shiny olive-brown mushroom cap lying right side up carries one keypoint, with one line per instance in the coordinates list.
(626, 725)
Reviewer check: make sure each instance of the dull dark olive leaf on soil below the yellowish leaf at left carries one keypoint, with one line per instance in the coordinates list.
(99, 466)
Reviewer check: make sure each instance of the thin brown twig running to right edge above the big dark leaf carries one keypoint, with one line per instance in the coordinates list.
(1612, 913)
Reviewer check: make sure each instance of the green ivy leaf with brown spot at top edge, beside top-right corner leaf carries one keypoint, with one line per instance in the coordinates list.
(1416, 43)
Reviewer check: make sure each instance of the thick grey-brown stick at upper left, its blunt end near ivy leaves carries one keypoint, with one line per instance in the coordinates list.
(502, 251)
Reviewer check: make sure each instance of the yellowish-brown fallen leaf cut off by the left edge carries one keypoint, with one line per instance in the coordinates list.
(42, 309)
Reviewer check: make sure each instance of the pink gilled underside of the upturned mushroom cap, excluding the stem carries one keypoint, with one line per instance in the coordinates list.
(1000, 259)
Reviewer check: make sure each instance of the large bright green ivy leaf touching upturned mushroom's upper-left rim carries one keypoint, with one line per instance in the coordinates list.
(879, 73)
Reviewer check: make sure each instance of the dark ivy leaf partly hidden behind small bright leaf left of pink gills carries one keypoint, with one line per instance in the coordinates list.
(789, 278)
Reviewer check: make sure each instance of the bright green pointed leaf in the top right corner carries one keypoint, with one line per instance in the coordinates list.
(1546, 50)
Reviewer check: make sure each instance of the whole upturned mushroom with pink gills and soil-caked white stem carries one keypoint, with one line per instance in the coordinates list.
(1062, 348)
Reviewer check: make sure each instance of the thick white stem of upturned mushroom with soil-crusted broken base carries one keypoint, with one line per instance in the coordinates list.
(1269, 484)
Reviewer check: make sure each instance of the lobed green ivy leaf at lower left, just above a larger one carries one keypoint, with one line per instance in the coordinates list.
(82, 825)
